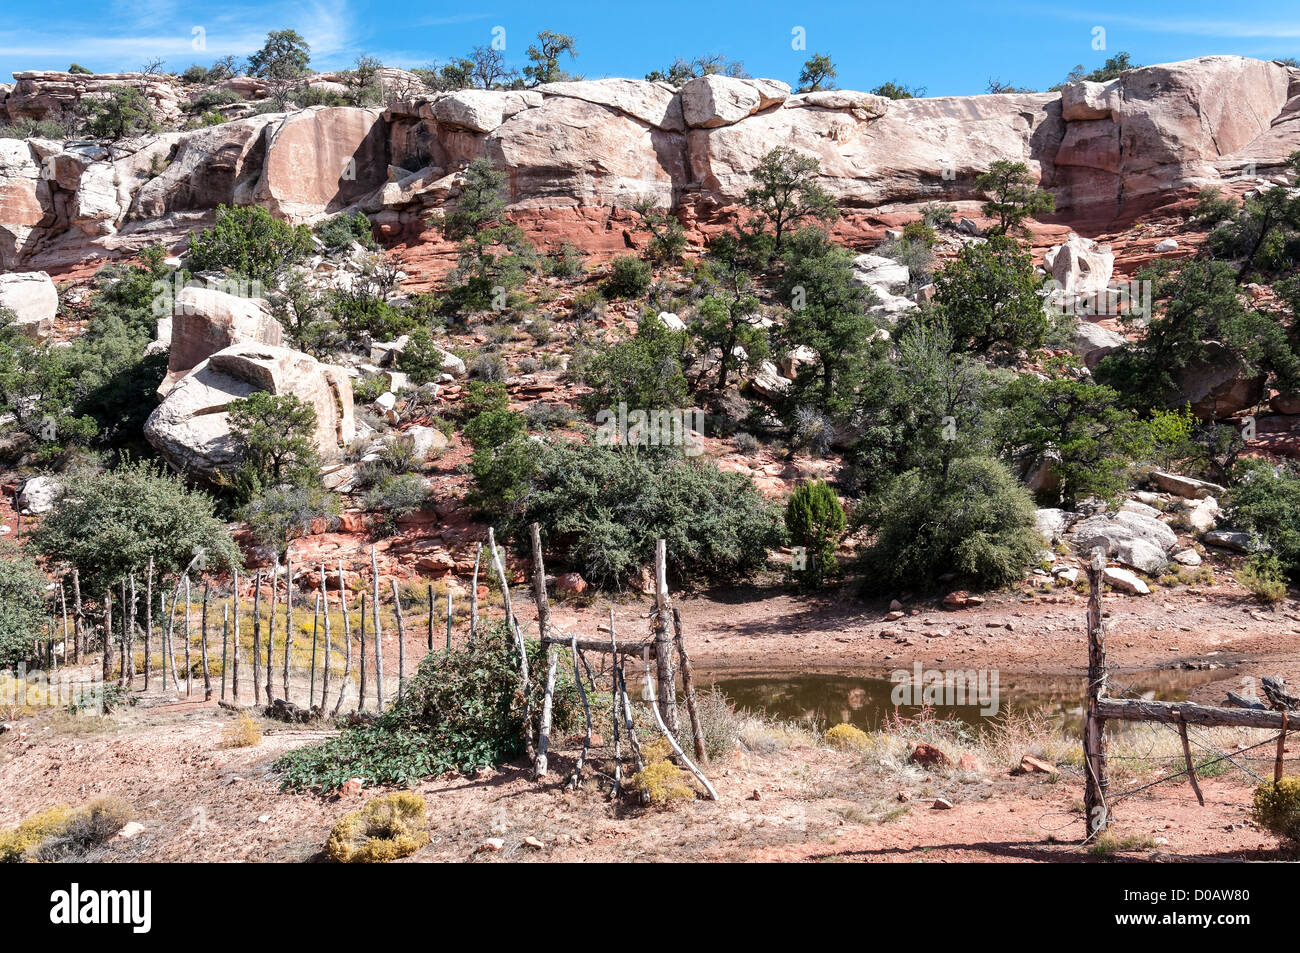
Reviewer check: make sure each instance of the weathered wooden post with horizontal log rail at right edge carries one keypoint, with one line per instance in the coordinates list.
(1182, 717)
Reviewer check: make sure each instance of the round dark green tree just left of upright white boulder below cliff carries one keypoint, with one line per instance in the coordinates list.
(990, 298)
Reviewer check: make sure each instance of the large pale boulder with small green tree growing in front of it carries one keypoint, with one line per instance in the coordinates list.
(192, 427)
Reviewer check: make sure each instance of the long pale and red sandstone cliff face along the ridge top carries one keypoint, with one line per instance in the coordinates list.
(580, 153)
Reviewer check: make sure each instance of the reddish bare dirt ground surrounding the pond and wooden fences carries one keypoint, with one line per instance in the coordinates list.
(201, 802)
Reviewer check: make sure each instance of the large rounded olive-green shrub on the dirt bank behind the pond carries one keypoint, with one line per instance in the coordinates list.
(976, 523)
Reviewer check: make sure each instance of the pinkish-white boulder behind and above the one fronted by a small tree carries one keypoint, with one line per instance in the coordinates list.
(207, 320)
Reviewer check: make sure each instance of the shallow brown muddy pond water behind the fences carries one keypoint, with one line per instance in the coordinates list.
(868, 701)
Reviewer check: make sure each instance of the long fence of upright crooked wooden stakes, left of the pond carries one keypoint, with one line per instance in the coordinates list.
(197, 605)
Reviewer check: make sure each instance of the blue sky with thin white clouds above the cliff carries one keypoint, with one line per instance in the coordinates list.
(951, 49)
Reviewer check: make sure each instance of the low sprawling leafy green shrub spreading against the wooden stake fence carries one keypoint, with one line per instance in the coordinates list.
(461, 712)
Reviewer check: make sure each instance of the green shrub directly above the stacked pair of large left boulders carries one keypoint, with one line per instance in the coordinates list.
(249, 242)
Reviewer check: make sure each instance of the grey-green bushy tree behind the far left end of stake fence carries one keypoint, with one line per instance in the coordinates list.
(110, 525)
